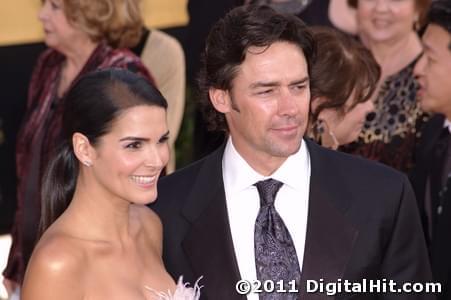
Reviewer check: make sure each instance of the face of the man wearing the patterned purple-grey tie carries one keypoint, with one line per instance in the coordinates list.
(267, 107)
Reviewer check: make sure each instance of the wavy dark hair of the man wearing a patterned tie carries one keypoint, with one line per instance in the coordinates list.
(229, 40)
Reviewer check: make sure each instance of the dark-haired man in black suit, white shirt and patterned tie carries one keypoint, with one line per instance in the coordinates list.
(270, 206)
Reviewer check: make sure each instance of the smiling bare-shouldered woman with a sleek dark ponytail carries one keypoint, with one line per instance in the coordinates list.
(100, 240)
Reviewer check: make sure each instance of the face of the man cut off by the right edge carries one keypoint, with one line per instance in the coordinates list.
(433, 71)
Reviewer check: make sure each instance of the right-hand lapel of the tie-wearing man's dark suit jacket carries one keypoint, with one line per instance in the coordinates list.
(330, 237)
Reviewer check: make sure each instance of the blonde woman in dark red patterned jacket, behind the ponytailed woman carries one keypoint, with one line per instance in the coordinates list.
(82, 36)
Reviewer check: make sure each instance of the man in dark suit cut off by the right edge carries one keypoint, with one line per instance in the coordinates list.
(432, 177)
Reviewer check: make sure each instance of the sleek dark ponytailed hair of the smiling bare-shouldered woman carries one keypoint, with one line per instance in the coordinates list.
(90, 108)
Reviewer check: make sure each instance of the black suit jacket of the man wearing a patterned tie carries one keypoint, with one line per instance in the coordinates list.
(362, 223)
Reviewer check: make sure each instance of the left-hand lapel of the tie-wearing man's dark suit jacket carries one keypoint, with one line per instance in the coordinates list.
(208, 244)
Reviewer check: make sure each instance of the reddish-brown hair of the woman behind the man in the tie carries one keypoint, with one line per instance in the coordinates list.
(342, 67)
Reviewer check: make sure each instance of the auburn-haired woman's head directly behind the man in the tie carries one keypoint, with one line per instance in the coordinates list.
(343, 78)
